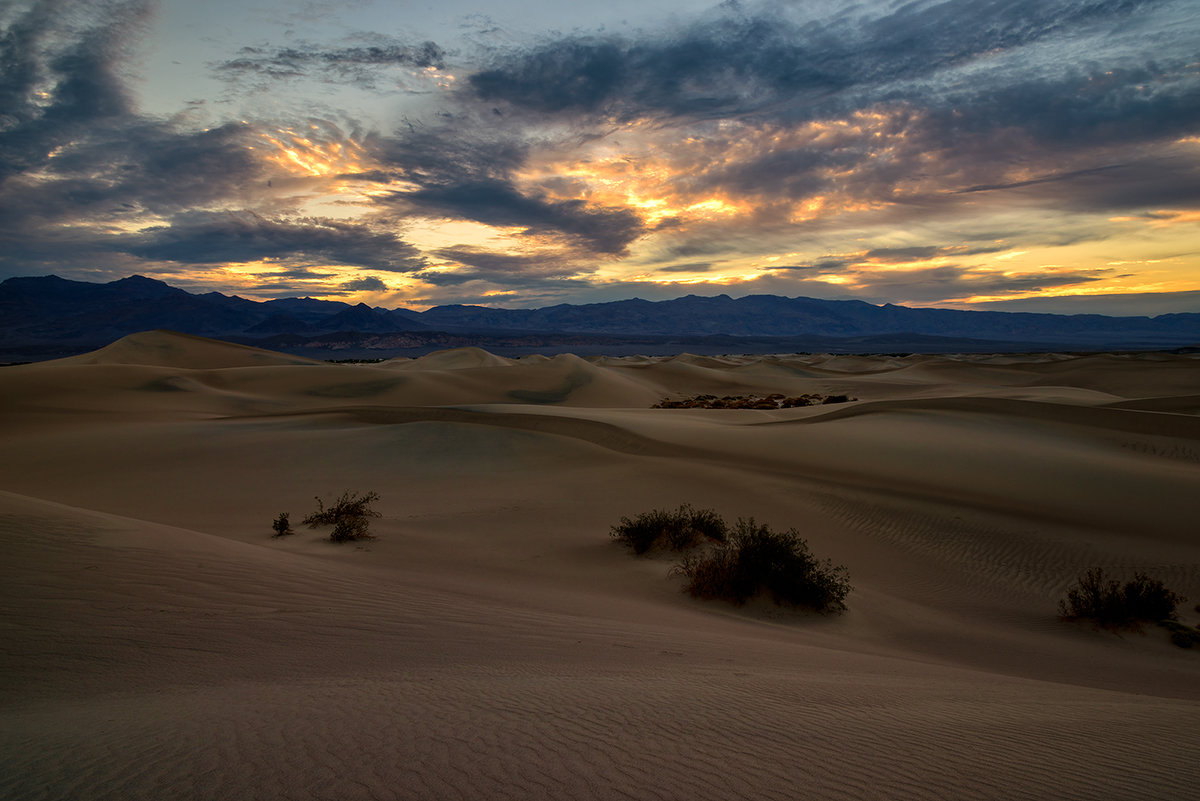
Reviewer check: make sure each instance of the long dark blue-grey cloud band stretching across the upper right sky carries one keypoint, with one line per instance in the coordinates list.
(740, 63)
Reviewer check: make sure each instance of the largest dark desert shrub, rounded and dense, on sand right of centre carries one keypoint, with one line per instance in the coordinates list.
(755, 559)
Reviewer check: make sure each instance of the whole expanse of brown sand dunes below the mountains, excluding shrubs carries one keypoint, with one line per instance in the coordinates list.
(494, 643)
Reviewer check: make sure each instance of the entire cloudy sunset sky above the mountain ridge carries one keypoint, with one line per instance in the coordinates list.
(1021, 155)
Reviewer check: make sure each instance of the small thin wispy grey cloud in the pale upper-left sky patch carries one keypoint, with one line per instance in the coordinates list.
(358, 65)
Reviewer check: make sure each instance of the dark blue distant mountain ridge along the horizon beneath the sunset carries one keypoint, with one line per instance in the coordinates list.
(55, 314)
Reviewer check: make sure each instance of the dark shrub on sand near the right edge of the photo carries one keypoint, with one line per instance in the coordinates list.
(1111, 605)
